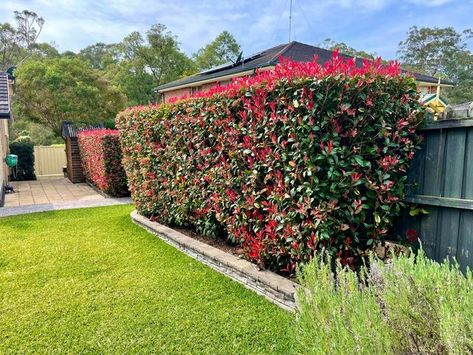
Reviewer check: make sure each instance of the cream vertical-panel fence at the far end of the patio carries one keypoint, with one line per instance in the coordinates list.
(49, 160)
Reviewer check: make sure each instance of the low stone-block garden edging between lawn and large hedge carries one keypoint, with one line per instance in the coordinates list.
(277, 289)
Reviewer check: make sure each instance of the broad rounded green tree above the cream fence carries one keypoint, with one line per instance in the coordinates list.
(49, 91)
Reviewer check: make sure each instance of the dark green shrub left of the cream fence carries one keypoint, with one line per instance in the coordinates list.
(24, 171)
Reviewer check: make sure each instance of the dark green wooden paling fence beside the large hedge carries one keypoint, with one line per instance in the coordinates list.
(441, 181)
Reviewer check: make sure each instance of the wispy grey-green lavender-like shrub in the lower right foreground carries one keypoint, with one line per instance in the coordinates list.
(411, 306)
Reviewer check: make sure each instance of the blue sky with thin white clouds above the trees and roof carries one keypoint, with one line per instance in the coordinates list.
(370, 25)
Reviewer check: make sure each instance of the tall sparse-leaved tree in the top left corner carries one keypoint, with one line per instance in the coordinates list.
(18, 42)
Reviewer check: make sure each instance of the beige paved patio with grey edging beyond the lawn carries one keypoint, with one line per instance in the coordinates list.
(47, 194)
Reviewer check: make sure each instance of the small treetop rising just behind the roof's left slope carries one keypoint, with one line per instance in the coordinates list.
(223, 49)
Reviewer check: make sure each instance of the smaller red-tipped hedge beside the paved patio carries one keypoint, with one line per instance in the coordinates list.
(101, 159)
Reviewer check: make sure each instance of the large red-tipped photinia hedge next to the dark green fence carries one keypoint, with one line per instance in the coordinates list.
(285, 162)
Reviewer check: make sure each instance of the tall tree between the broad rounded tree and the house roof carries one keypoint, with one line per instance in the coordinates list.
(138, 64)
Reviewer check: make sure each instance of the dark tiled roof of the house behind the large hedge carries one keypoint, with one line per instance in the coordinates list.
(294, 50)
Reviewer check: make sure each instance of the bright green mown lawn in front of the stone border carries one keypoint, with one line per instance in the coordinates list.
(90, 281)
